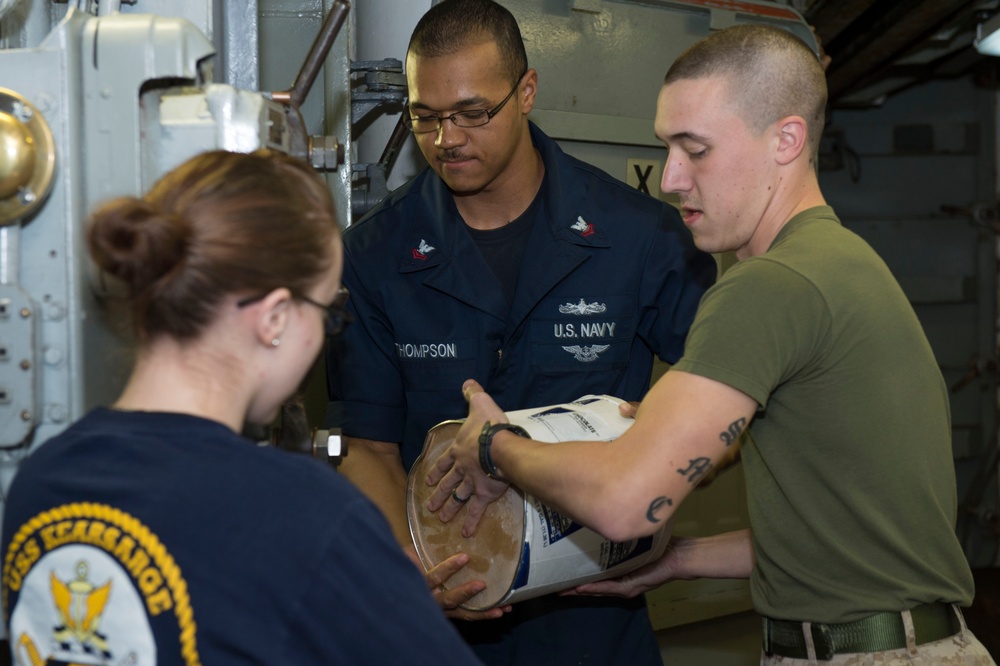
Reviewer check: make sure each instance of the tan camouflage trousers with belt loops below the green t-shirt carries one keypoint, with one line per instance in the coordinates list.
(962, 649)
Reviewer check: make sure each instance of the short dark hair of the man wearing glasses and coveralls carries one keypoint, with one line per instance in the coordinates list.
(451, 25)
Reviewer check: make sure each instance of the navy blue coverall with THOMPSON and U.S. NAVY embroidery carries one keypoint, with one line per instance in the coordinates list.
(609, 278)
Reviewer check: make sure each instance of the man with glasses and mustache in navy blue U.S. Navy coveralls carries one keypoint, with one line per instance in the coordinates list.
(512, 263)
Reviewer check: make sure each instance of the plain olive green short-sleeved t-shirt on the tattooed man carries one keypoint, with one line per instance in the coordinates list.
(850, 476)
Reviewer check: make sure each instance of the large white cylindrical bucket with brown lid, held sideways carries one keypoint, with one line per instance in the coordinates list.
(524, 549)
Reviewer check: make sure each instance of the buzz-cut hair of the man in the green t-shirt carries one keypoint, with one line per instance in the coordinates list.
(771, 74)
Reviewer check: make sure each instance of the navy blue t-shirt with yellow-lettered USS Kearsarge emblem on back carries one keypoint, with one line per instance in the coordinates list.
(141, 538)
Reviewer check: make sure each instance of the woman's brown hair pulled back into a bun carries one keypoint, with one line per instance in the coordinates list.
(221, 223)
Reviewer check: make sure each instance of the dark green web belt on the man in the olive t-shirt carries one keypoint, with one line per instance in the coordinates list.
(879, 632)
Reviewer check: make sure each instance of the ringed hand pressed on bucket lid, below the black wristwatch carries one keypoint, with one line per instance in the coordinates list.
(459, 465)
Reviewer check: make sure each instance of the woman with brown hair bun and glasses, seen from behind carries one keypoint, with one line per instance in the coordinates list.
(151, 531)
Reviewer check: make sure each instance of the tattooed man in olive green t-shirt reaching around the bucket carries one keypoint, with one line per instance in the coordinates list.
(808, 342)
